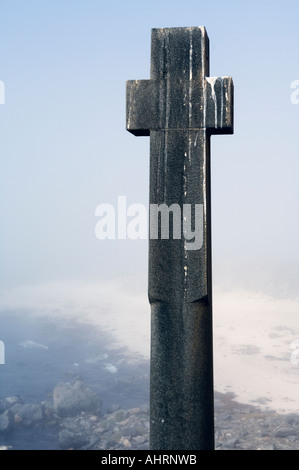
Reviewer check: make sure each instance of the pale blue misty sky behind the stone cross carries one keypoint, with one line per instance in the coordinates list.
(64, 148)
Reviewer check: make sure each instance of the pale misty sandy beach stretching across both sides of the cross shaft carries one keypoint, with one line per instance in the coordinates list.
(256, 338)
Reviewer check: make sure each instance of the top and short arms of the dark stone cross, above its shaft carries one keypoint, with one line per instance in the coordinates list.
(180, 94)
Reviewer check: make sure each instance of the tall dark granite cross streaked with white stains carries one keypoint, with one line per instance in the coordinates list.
(179, 108)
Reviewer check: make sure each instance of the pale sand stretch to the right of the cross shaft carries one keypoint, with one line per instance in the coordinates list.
(255, 344)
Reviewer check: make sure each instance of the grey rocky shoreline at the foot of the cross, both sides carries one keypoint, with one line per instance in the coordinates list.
(74, 420)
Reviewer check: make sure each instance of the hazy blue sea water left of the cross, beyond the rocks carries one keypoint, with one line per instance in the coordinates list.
(40, 352)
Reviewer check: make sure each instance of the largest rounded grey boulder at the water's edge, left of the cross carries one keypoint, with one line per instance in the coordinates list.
(71, 399)
